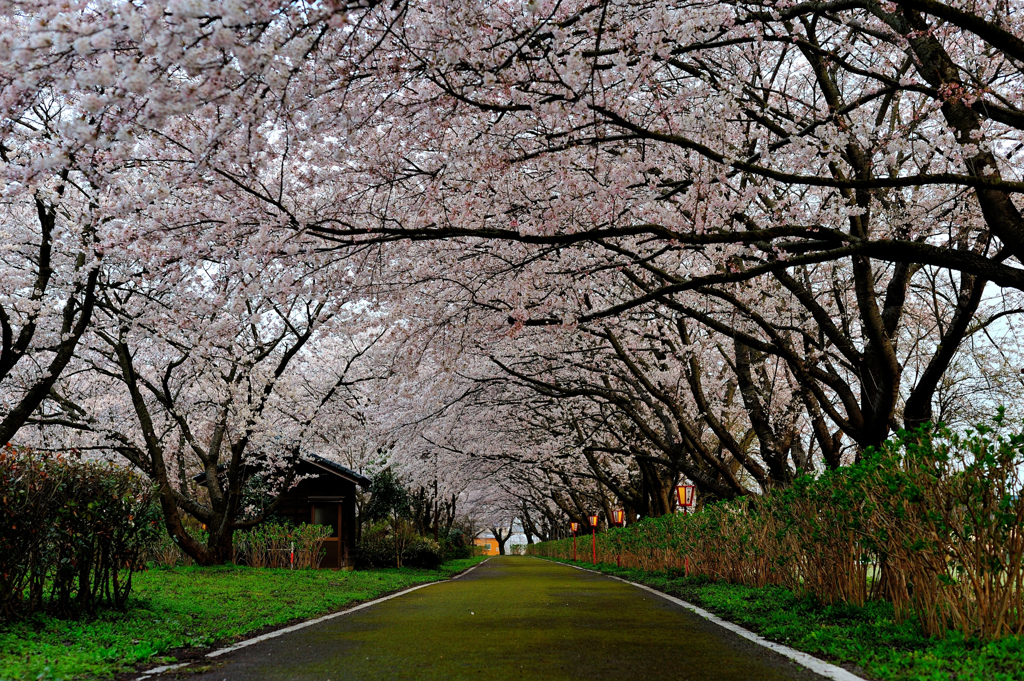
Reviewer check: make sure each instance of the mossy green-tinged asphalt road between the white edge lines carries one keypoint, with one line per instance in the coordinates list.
(514, 618)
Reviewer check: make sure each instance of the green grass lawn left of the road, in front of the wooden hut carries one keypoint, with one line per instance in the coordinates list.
(191, 607)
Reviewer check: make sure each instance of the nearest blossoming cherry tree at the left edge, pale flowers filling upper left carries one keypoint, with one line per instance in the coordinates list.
(80, 86)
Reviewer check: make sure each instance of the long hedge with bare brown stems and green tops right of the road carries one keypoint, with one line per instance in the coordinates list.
(932, 523)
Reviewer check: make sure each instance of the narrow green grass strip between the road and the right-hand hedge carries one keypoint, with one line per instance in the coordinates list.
(866, 640)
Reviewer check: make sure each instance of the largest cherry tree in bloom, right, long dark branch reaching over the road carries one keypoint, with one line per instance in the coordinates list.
(593, 129)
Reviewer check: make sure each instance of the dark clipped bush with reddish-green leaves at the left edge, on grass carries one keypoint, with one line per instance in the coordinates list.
(72, 533)
